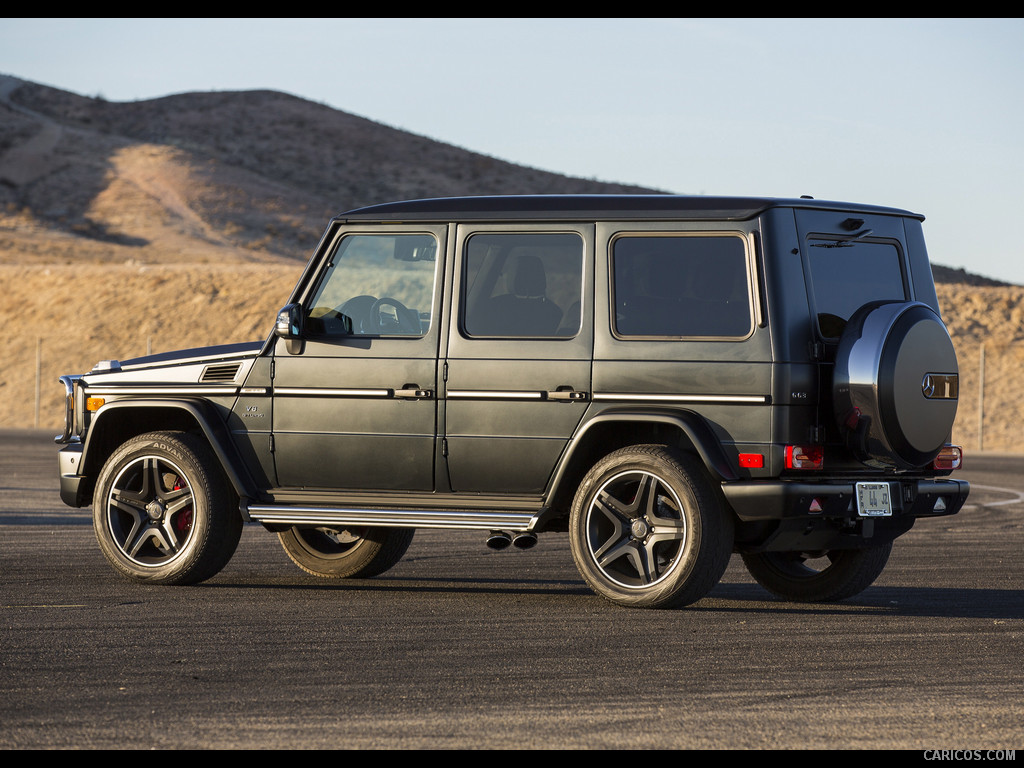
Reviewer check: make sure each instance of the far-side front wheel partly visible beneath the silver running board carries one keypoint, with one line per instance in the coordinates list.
(346, 553)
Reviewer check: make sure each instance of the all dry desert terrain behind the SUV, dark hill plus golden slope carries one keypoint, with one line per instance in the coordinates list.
(186, 221)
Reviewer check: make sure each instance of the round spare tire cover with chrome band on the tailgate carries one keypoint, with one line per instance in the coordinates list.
(897, 385)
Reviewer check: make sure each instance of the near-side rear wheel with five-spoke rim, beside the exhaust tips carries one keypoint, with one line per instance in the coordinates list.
(648, 529)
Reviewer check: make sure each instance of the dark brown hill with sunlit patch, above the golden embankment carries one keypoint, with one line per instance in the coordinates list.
(218, 178)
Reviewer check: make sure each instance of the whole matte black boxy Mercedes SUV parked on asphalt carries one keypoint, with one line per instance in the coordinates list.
(669, 379)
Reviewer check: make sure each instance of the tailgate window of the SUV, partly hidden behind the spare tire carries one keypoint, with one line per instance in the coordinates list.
(847, 274)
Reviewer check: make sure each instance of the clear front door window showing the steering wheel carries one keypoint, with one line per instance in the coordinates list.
(376, 285)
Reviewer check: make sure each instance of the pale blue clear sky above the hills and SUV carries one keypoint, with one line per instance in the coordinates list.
(926, 115)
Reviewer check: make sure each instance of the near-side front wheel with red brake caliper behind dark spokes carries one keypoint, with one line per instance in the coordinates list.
(163, 513)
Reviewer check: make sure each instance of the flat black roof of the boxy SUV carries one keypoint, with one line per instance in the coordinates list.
(596, 207)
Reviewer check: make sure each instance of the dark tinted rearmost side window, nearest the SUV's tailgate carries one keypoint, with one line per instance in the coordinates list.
(681, 286)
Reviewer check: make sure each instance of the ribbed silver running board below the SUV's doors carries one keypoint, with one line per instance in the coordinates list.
(395, 519)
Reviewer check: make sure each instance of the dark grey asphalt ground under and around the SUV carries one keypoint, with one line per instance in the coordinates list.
(462, 648)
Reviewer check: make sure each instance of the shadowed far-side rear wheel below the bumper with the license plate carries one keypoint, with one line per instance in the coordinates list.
(842, 574)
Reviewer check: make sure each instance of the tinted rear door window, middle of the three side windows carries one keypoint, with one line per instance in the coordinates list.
(523, 286)
